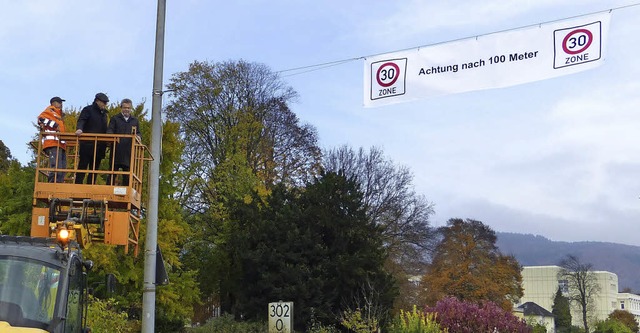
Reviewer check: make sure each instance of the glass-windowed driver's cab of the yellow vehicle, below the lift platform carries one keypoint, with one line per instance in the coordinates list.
(43, 286)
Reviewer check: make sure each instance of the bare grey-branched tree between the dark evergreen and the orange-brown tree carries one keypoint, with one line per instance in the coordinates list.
(392, 204)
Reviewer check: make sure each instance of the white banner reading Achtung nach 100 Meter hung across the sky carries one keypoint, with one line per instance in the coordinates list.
(489, 61)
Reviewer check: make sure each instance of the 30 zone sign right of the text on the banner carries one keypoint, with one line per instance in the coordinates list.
(577, 45)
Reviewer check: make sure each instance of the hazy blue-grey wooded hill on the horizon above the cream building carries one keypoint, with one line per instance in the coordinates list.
(534, 250)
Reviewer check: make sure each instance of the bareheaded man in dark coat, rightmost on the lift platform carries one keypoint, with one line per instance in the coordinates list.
(123, 123)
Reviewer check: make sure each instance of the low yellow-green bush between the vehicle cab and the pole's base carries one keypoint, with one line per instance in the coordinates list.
(105, 317)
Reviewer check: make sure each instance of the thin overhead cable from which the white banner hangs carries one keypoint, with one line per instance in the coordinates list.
(311, 68)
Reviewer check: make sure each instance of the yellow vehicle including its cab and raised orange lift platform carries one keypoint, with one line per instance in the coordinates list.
(43, 285)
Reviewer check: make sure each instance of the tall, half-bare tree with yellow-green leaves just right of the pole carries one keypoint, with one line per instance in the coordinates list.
(240, 138)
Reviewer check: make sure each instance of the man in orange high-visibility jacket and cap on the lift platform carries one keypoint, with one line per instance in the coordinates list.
(50, 122)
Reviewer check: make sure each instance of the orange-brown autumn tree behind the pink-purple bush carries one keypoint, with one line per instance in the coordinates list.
(468, 265)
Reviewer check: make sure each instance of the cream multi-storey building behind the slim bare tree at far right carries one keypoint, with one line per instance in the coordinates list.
(540, 284)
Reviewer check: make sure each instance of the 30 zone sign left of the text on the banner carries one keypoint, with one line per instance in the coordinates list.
(388, 78)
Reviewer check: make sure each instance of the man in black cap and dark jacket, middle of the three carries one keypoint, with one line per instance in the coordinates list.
(92, 119)
